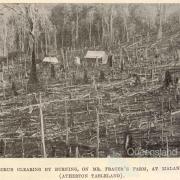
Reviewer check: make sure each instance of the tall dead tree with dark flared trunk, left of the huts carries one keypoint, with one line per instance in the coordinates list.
(34, 23)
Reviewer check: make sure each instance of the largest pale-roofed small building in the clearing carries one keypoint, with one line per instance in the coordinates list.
(95, 58)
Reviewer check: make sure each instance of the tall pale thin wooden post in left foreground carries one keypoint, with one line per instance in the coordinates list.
(42, 128)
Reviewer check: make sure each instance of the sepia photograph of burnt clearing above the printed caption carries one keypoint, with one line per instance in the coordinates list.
(89, 80)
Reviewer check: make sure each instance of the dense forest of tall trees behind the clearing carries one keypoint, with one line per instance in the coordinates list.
(56, 26)
